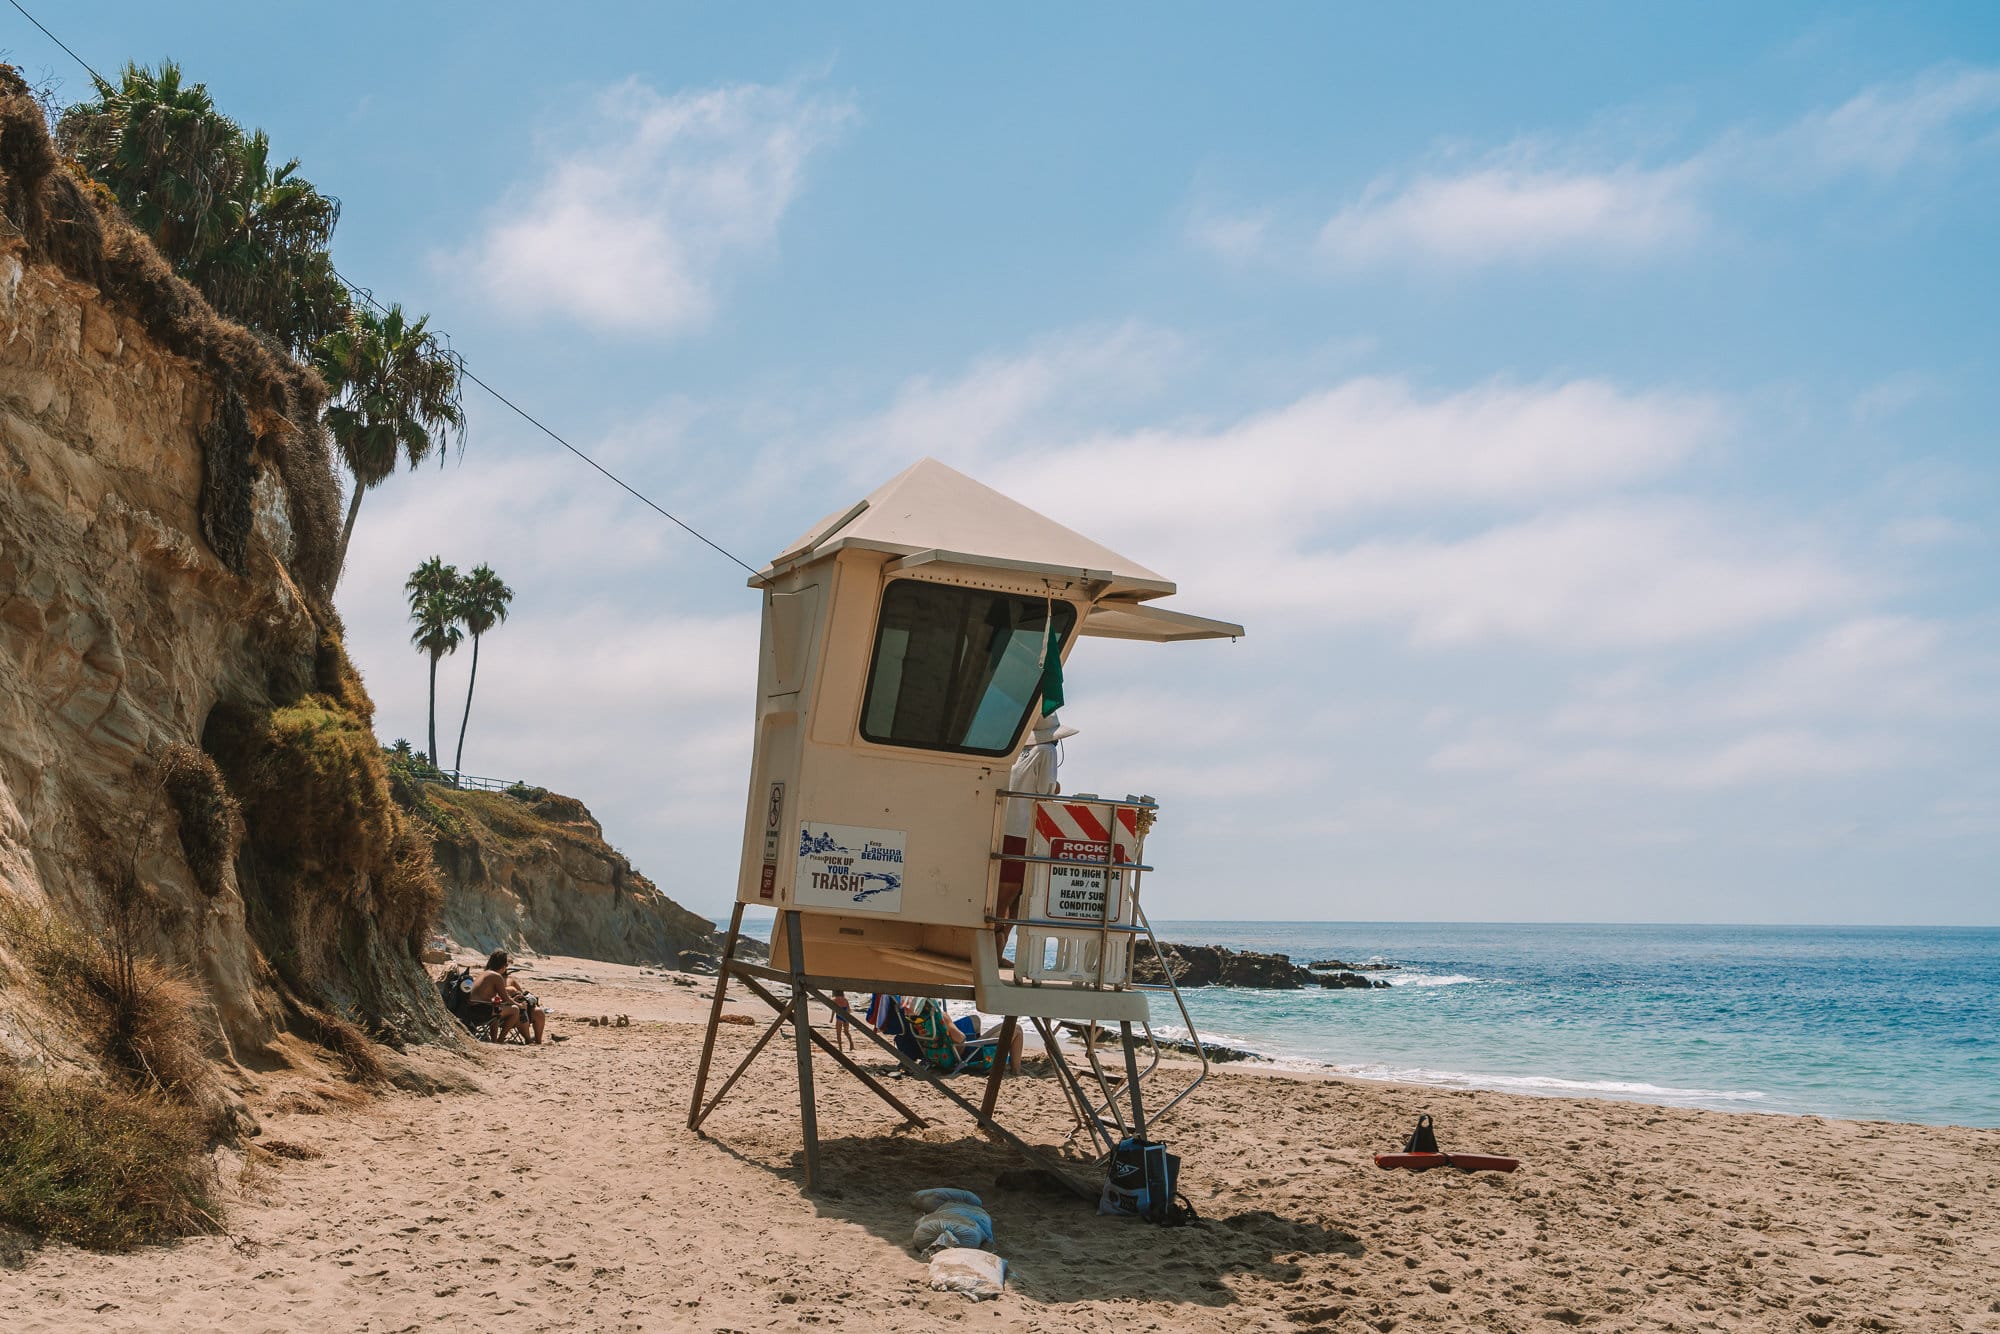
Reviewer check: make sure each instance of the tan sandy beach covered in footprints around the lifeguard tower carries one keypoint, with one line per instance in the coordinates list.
(571, 1195)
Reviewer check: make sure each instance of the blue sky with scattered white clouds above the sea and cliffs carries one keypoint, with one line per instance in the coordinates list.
(1589, 411)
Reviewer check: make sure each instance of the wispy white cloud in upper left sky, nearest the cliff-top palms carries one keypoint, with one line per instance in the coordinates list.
(635, 227)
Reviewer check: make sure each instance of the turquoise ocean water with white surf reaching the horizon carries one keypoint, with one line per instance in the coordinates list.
(1853, 1023)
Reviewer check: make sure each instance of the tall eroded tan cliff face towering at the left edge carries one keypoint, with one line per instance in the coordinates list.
(167, 509)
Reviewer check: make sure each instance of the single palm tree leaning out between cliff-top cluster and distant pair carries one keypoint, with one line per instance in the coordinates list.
(397, 397)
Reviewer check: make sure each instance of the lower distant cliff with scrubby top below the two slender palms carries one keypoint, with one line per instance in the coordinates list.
(537, 875)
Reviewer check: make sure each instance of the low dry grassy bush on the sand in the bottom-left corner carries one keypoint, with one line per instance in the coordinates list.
(101, 1167)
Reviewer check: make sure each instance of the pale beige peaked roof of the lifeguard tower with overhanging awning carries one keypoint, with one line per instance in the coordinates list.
(935, 515)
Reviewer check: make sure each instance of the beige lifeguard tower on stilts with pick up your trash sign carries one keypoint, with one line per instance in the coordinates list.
(911, 643)
